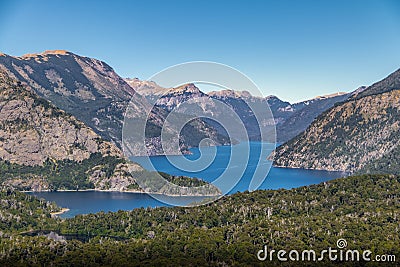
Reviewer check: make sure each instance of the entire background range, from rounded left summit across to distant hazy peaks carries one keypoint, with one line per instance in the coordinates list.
(94, 93)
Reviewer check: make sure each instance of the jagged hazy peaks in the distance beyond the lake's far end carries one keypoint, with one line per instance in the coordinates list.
(290, 119)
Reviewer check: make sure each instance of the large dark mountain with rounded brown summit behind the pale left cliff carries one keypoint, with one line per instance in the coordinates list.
(90, 90)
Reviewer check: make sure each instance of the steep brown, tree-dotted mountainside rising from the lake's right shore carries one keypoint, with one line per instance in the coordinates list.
(359, 134)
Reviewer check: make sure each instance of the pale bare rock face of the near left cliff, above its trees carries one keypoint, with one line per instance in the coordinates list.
(33, 130)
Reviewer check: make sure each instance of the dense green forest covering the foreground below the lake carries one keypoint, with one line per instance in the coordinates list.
(229, 231)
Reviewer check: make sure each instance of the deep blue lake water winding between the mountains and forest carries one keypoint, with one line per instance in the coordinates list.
(232, 168)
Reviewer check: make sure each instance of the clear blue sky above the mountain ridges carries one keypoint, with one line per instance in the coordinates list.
(293, 49)
